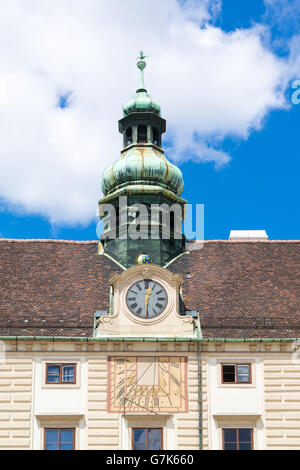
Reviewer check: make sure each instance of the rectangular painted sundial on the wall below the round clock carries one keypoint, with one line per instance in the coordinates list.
(147, 384)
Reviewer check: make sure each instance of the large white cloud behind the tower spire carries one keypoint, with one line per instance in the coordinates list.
(210, 84)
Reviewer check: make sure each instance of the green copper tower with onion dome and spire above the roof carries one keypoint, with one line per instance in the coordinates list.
(142, 209)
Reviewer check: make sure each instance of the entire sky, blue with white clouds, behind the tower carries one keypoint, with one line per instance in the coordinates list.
(225, 72)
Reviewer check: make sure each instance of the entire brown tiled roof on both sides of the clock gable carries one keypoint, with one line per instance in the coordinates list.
(241, 289)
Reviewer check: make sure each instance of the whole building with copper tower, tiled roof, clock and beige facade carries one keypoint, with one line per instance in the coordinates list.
(148, 342)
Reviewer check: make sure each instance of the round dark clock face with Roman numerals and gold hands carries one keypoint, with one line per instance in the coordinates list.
(146, 299)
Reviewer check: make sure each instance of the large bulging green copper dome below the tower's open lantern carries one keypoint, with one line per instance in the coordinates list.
(142, 165)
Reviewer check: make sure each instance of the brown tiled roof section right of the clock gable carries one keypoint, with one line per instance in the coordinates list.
(244, 289)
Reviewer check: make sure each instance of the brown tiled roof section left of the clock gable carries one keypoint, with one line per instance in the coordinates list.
(52, 288)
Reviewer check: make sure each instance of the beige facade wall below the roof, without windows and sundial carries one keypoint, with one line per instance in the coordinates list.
(271, 406)
